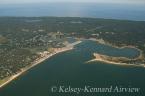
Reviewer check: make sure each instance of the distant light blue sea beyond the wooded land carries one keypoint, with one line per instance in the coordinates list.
(95, 10)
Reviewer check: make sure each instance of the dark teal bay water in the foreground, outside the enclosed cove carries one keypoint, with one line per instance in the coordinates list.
(69, 69)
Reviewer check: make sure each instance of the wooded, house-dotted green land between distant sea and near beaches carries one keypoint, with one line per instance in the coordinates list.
(22, 37)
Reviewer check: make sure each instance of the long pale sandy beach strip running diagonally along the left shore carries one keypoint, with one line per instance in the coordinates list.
(43, 56)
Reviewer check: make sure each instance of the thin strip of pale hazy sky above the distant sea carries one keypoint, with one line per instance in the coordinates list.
(97, 1)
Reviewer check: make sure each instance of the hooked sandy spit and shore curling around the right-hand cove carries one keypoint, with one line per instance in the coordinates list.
(117, 60)
